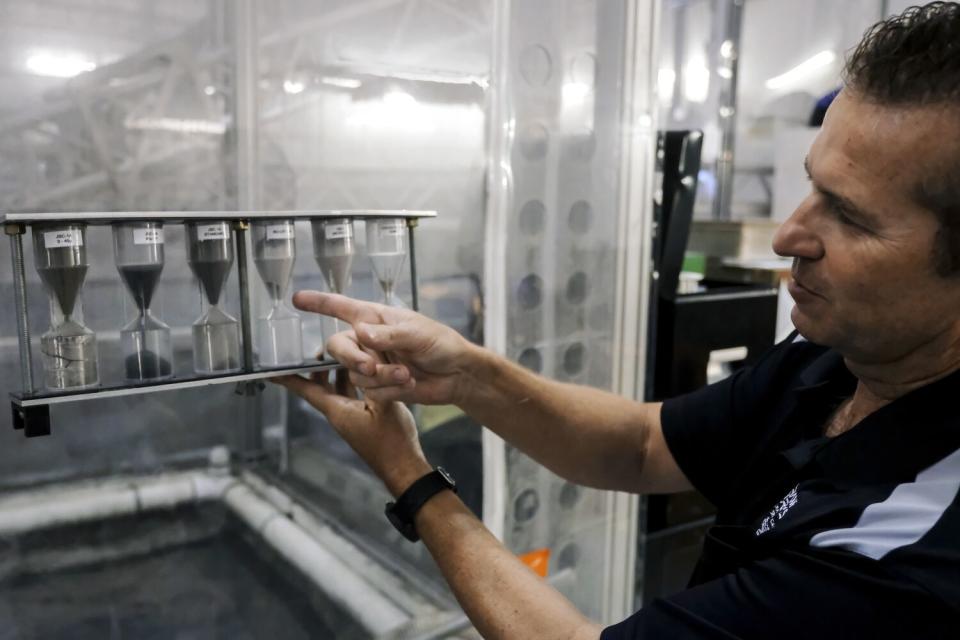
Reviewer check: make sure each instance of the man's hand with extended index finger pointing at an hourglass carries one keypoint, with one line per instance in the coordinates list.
(394, 354)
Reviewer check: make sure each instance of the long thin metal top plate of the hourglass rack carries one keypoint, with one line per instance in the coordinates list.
(106, 217)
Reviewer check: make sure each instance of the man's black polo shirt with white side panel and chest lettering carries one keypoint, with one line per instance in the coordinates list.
(856, 536)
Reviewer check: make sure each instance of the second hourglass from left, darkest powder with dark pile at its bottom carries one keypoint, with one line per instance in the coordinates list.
(138, 249)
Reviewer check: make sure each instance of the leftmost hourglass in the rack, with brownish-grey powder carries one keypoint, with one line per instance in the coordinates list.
(69, 348)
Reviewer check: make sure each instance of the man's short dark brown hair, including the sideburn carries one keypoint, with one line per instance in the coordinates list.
(913, 59)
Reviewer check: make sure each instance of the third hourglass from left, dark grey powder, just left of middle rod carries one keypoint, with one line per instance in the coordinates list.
(216, 334)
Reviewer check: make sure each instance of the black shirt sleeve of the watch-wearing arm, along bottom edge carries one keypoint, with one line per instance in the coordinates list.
(793, 597)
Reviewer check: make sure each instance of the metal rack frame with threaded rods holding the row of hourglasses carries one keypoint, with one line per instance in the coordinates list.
(30, 407)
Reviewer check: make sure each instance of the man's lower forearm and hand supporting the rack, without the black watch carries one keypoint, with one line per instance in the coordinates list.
(501, 596)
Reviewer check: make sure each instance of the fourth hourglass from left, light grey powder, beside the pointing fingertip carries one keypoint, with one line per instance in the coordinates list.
(274, 253)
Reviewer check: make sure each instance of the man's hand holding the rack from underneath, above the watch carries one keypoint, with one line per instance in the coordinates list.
(384, 434)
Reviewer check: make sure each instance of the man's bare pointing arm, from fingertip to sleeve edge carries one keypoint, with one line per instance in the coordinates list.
(585, 435)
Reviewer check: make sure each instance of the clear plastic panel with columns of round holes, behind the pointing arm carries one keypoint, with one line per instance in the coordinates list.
(564, 94)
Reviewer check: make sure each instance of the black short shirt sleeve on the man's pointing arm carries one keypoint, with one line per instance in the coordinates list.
(714, 432)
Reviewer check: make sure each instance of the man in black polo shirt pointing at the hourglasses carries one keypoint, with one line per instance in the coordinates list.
(834, 462)
